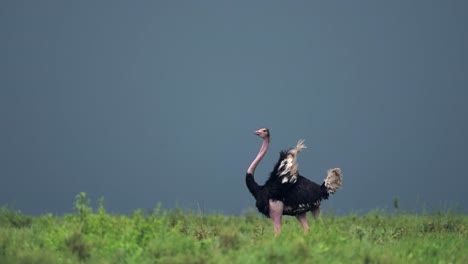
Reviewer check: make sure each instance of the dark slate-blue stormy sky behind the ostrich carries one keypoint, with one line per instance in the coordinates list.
(155, 101)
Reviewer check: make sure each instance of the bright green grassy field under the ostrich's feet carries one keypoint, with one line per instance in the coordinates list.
(175, 236)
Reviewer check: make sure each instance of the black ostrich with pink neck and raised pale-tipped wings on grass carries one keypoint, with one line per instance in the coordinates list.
(286, 192)
